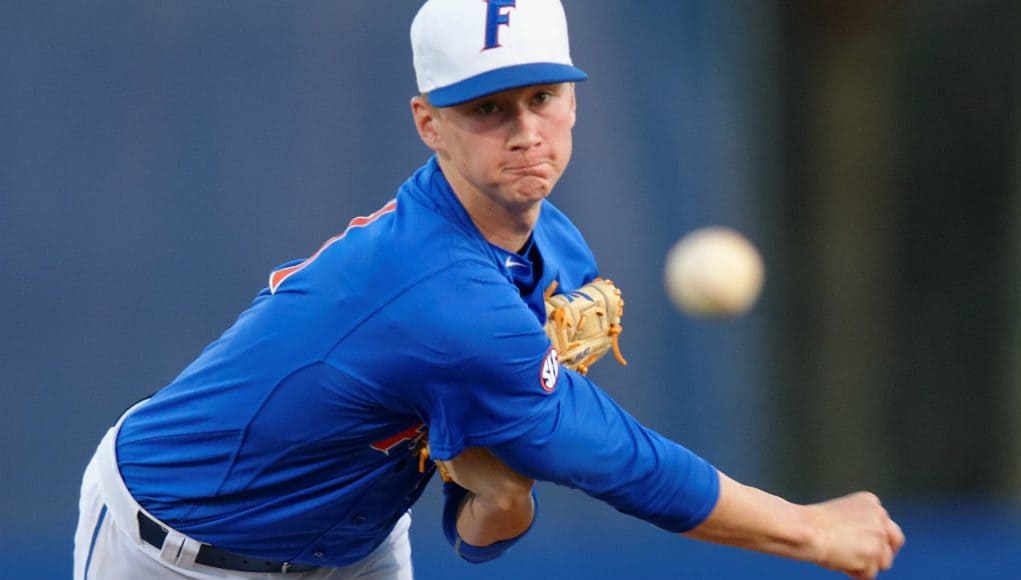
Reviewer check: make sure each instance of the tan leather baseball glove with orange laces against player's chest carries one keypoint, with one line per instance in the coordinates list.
(586, 324)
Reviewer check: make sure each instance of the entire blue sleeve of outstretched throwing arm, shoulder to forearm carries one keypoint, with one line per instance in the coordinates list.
(494, 380)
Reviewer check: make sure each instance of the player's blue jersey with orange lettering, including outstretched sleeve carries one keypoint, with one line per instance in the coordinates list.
(295, 436)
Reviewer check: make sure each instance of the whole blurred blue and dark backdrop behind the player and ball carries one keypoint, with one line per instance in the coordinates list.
(159, 159)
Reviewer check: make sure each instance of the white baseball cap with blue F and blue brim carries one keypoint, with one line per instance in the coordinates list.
(466, 50)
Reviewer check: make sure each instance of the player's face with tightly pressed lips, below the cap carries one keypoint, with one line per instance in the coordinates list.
(510, 148)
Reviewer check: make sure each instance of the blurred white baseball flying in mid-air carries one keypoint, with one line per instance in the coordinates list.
(714, 272)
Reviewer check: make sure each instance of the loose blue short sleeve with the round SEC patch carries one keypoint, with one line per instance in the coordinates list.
(495, 373)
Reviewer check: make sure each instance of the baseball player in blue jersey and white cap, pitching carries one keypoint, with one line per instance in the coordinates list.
(297, 443)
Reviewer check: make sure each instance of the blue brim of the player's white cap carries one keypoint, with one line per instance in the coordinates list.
(504, 79)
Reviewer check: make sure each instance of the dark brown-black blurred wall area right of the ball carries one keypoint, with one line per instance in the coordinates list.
(901, 166)
